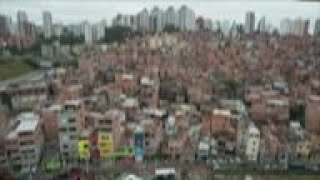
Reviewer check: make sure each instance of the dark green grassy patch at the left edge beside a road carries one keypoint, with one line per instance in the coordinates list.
(13, 68)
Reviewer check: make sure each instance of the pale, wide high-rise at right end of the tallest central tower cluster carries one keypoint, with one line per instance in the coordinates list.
(186, 19)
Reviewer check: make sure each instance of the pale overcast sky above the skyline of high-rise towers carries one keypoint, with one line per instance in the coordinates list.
(72, 11)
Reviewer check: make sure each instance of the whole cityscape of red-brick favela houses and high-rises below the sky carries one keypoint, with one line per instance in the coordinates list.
(160, 94)
